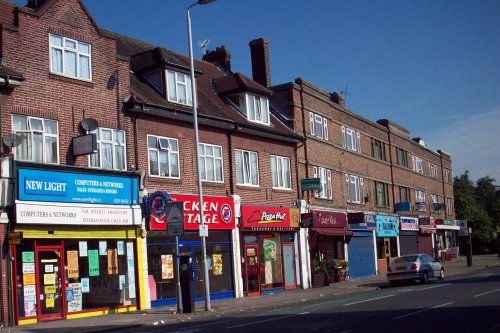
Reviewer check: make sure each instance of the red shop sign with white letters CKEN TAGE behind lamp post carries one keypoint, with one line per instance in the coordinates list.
(218, 212)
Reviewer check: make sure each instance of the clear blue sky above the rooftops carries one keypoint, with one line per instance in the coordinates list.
(431, 66)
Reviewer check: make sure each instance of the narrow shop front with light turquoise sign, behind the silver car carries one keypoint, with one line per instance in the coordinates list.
(387, 232)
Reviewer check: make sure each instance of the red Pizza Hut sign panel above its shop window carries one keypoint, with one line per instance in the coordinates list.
(269, 218)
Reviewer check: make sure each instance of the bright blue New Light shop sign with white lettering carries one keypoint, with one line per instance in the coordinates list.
(55, 186)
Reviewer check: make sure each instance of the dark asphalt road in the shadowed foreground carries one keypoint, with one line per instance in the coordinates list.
(466, 304)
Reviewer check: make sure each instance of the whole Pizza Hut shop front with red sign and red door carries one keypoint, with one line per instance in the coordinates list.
(269, 249)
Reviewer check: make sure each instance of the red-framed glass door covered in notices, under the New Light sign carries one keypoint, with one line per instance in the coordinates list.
(49, 291)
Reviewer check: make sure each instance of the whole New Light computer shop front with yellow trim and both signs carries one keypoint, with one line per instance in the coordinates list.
(77, 250)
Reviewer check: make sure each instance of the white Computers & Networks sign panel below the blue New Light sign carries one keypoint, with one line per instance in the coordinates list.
(59, 214)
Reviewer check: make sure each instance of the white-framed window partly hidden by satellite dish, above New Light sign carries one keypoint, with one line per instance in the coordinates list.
(96, 159)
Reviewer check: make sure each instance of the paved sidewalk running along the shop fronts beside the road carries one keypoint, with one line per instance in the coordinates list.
(225, 307)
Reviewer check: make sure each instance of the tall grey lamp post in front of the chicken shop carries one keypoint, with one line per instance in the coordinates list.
(197, 141)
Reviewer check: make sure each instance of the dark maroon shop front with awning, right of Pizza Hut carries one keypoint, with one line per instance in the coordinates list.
(327, 242)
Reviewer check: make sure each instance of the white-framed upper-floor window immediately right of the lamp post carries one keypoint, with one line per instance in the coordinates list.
(210, 161)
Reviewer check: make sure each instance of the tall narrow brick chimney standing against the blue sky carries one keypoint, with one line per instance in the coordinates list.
(261, 66)
